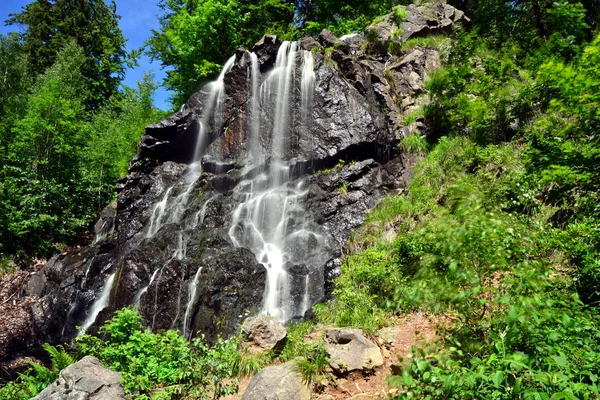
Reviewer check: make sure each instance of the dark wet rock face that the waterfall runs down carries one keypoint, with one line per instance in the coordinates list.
(243, 200)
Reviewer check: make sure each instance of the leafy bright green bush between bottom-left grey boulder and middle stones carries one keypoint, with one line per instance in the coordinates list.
(162, 364)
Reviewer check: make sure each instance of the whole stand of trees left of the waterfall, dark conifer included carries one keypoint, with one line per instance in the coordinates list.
(67, 132)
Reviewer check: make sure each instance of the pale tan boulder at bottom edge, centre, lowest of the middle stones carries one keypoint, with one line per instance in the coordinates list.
(282, 382)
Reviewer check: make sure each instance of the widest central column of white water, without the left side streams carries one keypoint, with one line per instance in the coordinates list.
(270, 218)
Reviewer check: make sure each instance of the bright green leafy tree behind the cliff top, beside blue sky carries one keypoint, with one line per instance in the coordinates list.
(198, 36)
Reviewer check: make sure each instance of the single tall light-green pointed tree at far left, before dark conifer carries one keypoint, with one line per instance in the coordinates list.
(42, 172)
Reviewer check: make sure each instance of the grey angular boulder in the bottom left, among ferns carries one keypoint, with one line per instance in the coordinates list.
(86, 379)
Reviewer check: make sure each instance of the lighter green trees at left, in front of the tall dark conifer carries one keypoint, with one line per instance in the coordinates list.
(57, 151)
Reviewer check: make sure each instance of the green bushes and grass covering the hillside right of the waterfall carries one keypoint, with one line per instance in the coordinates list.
(498, 231)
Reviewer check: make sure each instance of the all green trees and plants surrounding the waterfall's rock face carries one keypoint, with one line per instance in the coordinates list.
(497, 235)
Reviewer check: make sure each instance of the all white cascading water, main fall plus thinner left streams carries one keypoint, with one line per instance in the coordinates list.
(270, 218)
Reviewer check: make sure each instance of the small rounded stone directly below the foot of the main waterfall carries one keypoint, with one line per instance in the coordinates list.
(264, 332)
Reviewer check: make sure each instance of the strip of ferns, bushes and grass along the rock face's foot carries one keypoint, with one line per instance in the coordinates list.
(164, 365)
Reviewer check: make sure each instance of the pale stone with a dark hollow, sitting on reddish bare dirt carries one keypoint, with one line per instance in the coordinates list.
(349, 350)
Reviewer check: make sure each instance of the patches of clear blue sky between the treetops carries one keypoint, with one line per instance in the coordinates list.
(138, 17)
